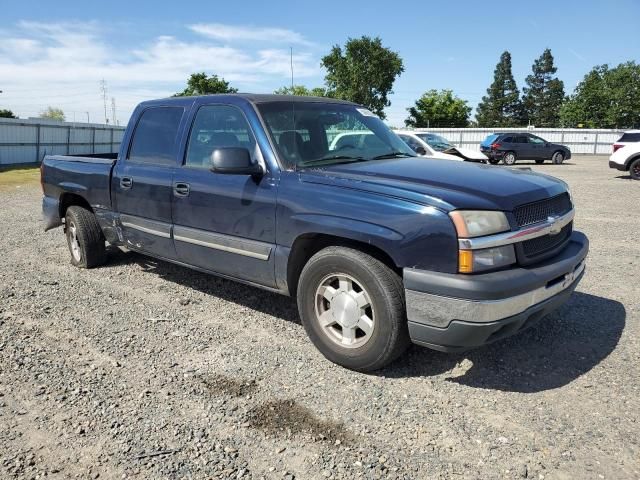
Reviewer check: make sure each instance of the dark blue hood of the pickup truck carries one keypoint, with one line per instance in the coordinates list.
(444, 184)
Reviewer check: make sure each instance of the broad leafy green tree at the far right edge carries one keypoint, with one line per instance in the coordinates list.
(605, 98)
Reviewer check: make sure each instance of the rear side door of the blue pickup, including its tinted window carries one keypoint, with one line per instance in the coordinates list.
(142, 181)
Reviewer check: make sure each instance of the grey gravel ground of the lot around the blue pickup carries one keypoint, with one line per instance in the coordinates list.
(144, 369)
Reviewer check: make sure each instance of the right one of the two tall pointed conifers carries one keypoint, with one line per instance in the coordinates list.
(544, 94)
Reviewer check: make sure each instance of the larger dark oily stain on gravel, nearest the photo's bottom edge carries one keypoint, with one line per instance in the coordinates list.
(287, 417)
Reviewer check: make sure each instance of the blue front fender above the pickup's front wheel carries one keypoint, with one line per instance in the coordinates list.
(411, 234)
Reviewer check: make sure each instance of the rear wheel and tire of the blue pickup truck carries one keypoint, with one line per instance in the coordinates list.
(85, 239)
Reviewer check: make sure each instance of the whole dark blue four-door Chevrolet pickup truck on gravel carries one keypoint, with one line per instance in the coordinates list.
(380, 247)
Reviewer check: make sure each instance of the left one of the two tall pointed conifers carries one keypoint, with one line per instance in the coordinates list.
(501, 107)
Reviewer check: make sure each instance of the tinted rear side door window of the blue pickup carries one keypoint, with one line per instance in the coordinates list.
(155, 136)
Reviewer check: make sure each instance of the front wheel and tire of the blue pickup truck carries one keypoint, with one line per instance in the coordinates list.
(340, 284)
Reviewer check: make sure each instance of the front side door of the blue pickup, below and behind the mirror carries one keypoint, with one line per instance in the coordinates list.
(224, 223)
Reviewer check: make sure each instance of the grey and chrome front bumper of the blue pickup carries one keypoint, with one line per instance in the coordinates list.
(451, 312)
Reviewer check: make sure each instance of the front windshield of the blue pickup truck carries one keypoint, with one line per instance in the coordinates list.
(314, 133)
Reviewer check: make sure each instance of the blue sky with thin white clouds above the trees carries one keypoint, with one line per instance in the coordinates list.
(55, 53)
